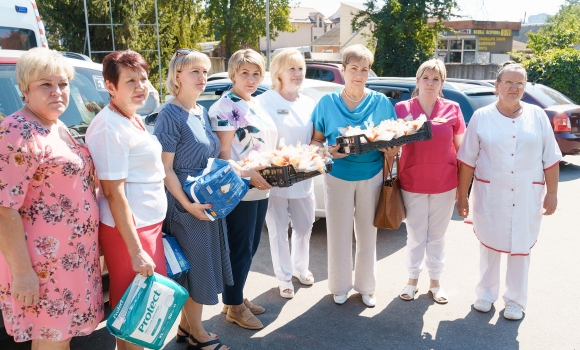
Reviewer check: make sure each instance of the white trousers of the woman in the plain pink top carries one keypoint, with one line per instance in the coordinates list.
(428, 216)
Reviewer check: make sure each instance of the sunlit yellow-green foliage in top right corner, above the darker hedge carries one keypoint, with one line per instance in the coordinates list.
(562, 31)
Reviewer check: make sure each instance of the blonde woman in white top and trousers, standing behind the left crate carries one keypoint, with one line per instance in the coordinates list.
(291, 112)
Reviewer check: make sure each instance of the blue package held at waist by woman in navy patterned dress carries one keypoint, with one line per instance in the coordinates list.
(218, 185)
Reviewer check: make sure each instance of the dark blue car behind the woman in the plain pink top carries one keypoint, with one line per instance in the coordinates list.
(470, 97)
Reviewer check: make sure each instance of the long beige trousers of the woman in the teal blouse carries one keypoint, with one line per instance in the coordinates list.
(345, 199)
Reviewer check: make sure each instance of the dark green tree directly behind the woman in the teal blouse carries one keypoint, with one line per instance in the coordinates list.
(401, 36)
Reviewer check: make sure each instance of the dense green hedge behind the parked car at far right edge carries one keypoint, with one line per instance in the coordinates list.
(558, 69)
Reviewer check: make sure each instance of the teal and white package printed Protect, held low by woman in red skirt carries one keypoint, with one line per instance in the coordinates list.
(147, 311)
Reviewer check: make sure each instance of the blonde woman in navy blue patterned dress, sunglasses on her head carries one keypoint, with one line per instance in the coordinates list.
(184, 131)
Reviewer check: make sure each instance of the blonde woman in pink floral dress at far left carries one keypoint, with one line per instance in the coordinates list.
(50, 281)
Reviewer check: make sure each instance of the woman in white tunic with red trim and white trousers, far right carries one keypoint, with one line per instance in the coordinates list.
(510, 148)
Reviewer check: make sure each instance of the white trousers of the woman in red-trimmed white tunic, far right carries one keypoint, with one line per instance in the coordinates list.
(516, 281)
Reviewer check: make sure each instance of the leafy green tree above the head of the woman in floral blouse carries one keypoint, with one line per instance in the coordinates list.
(239, 23)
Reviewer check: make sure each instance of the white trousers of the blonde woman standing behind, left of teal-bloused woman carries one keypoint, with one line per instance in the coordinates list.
(301, 211)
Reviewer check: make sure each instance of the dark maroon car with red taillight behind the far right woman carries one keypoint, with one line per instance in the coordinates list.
(564, 113)
